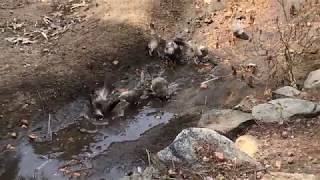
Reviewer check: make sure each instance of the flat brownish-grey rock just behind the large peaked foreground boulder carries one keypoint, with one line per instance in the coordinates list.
(223, 120)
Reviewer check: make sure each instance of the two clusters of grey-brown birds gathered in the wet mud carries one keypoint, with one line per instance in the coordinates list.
(175, 51)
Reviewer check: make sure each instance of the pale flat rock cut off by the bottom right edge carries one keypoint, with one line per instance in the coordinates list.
(291, 176)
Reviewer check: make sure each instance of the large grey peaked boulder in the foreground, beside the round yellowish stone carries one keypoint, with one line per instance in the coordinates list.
(184, 148)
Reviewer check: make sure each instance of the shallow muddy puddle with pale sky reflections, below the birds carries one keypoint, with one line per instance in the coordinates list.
(84, 145)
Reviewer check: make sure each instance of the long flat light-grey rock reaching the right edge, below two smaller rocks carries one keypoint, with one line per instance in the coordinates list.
(282, 109)
